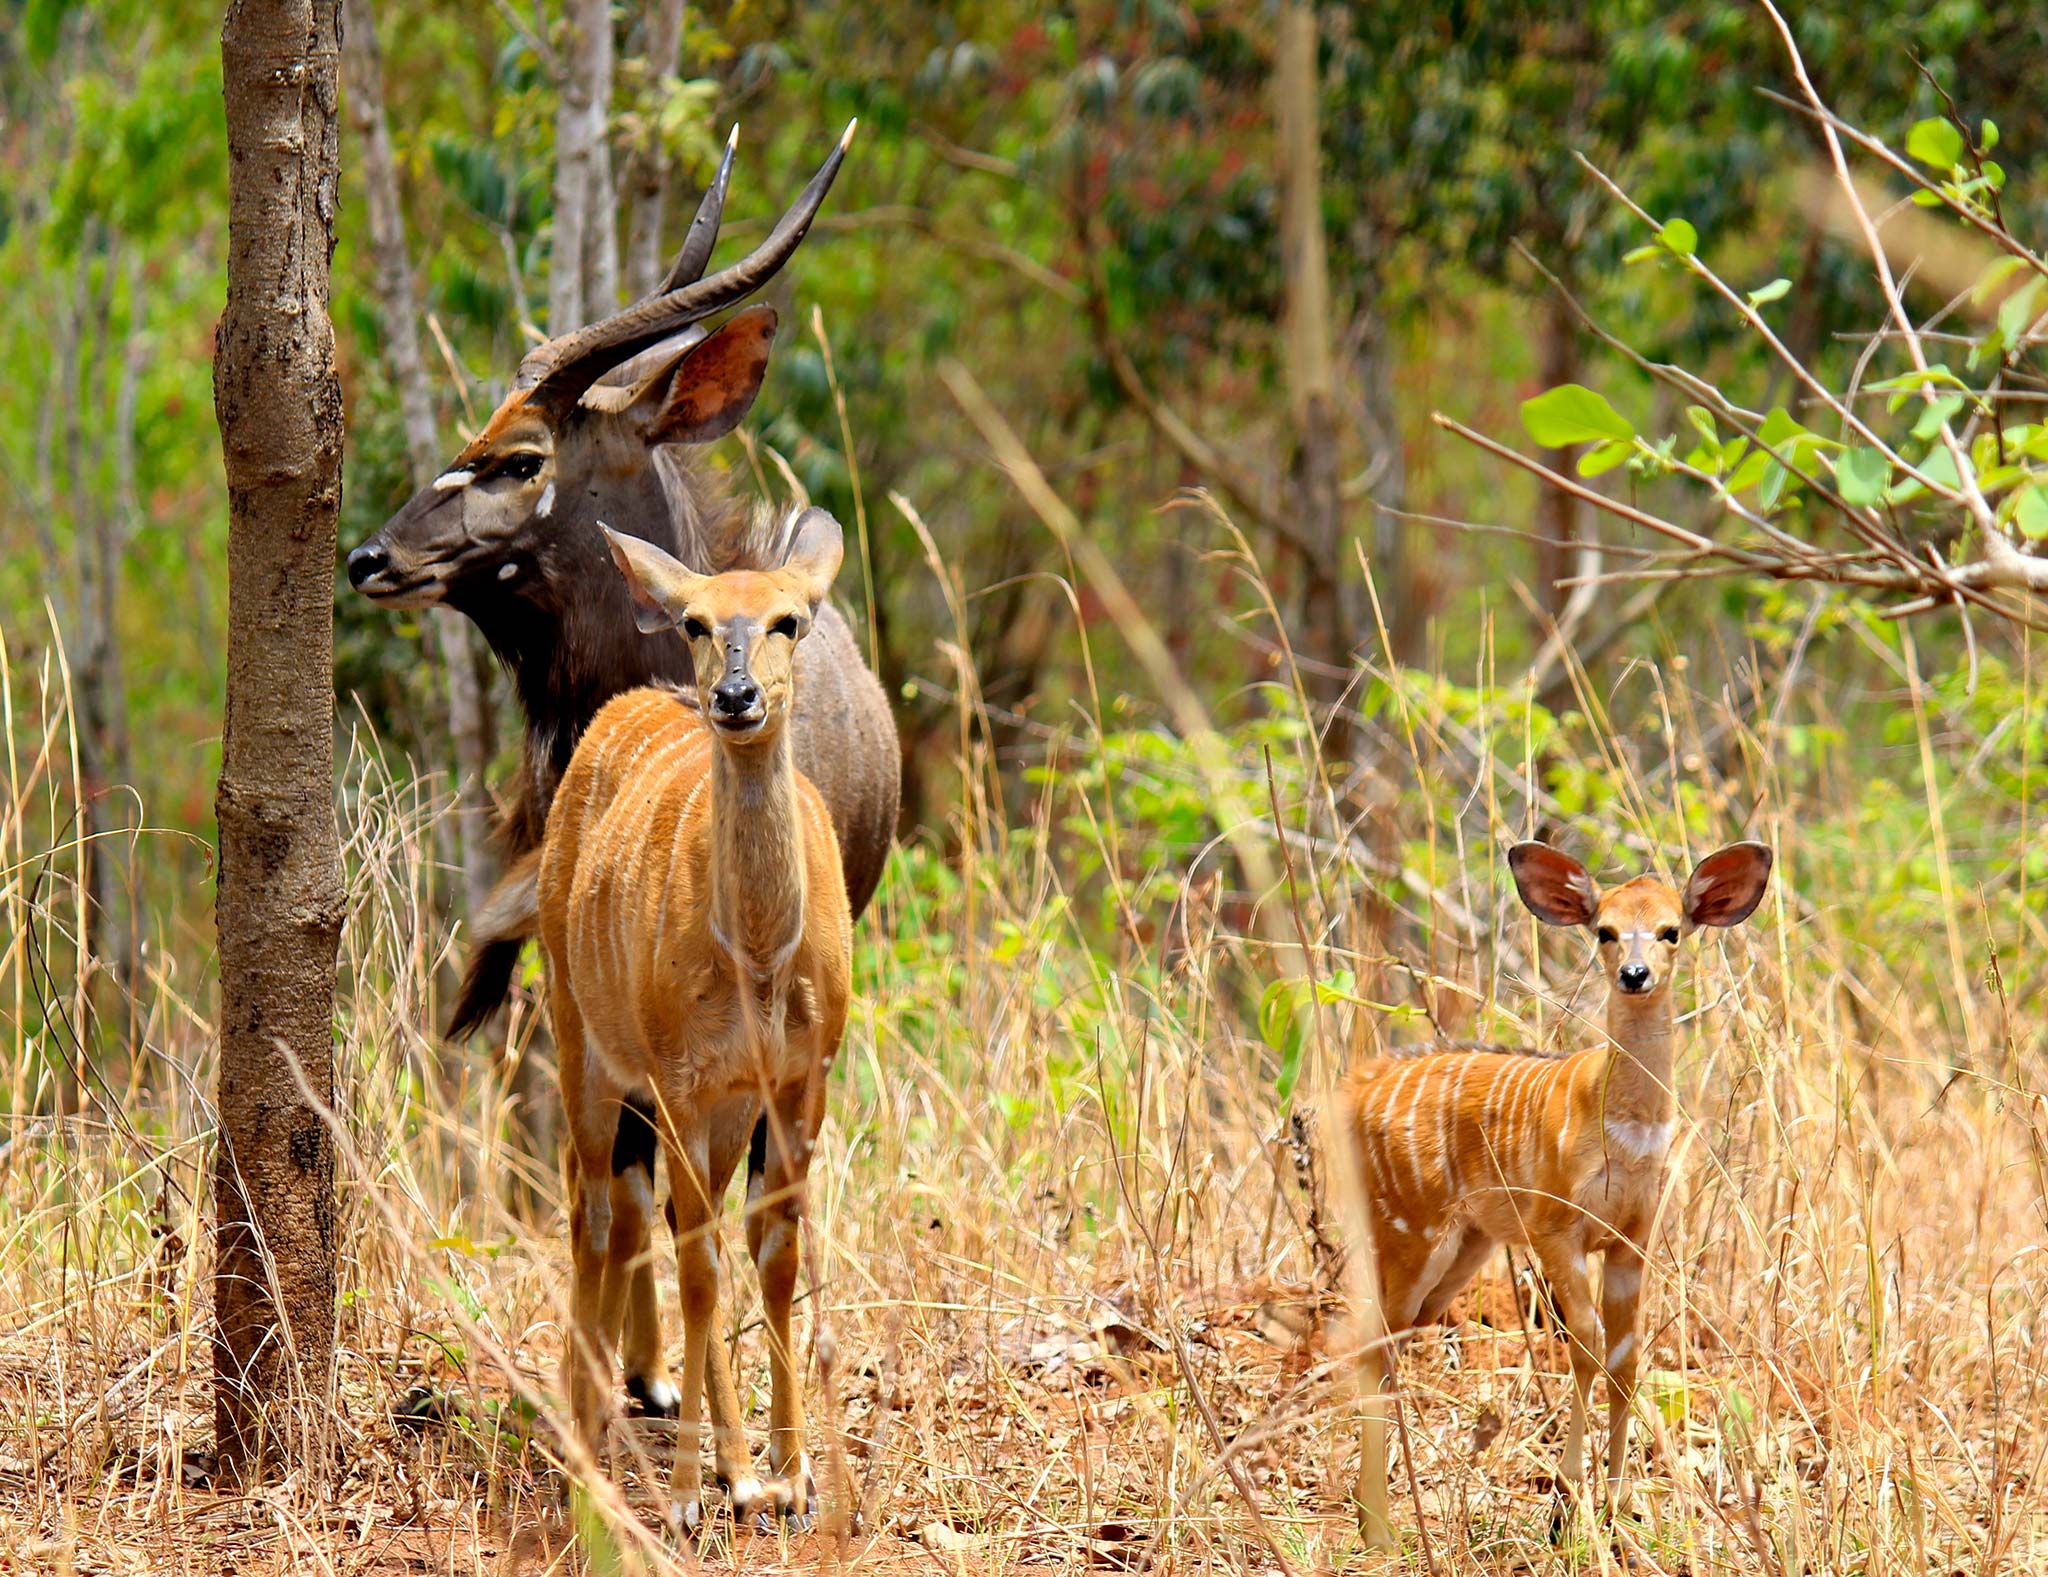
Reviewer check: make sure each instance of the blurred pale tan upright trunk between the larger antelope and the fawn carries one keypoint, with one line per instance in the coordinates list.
(1314, 495)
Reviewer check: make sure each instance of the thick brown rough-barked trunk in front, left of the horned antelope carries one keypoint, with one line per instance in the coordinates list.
(280, 906)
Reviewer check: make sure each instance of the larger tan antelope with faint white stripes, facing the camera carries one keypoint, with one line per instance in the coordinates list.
(697, 935)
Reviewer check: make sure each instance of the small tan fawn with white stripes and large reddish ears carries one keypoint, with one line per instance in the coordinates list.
(1459, 1154)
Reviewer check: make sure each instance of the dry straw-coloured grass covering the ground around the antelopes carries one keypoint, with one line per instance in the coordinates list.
(1062, 1244)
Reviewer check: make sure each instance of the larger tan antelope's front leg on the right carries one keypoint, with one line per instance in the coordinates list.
(775, 1236)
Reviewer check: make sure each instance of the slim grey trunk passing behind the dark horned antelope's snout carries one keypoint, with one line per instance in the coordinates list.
(454, 642)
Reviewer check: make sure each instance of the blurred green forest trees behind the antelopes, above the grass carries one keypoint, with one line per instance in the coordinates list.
(1084, 210)
